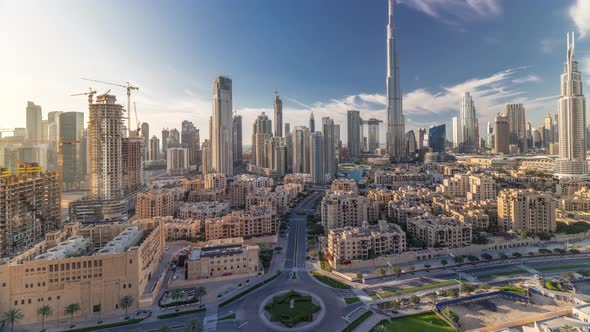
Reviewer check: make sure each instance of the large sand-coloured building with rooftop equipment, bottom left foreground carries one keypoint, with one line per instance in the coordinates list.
(67, 270)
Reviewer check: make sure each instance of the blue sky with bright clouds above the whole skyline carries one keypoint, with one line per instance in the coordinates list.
(324, 55)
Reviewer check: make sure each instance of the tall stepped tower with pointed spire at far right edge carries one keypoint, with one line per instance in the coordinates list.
(572, 118)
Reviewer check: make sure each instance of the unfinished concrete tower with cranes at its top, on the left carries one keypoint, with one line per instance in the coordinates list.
(104, 147)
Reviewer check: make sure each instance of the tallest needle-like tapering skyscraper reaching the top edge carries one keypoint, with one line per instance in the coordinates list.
(396, 127)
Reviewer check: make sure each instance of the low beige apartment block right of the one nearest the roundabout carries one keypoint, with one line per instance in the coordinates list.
(437, 231)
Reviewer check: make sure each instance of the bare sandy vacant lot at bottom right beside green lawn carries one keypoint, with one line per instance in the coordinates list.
(492, 311)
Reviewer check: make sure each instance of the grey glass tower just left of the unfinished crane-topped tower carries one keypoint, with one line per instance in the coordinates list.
(72, 129)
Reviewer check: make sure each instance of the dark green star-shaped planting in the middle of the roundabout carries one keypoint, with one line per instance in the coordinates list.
(281, 311)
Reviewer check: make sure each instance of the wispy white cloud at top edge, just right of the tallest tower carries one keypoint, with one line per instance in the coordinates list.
(455, 11)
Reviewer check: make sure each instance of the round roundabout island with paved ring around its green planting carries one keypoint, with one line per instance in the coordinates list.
(293, 310)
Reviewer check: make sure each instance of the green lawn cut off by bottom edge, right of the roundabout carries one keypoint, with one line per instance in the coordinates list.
(426, 321)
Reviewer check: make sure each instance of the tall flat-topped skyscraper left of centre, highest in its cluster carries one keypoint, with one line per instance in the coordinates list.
(222, 145)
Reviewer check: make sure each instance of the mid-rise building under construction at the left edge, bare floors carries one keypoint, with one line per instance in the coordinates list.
(29, 208)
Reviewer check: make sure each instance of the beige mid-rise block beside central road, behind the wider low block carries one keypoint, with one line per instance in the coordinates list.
(340, 209)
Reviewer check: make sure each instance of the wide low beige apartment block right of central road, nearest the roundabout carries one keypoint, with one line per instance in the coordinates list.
(366, 242)
